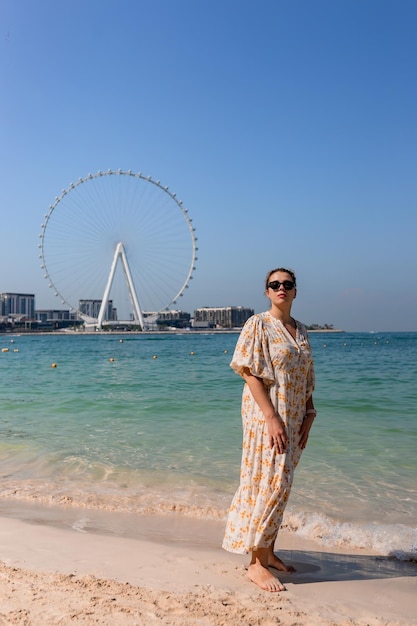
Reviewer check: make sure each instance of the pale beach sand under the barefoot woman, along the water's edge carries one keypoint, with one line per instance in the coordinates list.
(69, 566)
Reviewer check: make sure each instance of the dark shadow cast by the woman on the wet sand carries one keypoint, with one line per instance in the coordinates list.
(314, 567)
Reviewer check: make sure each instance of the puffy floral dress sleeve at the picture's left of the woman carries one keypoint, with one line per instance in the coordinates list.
(252, 352)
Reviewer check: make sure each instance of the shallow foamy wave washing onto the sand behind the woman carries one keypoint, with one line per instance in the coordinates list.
(396, 540)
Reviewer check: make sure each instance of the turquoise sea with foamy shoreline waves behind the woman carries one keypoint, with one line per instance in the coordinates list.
(150, 423)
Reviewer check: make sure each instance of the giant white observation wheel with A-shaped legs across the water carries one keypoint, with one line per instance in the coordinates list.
(119, 240)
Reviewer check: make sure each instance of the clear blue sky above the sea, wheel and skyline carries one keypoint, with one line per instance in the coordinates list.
(288, 129)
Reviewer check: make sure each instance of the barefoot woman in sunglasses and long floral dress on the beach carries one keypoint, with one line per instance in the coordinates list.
(273, 356)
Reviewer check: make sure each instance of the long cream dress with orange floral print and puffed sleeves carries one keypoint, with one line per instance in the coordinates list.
(268, 350)
